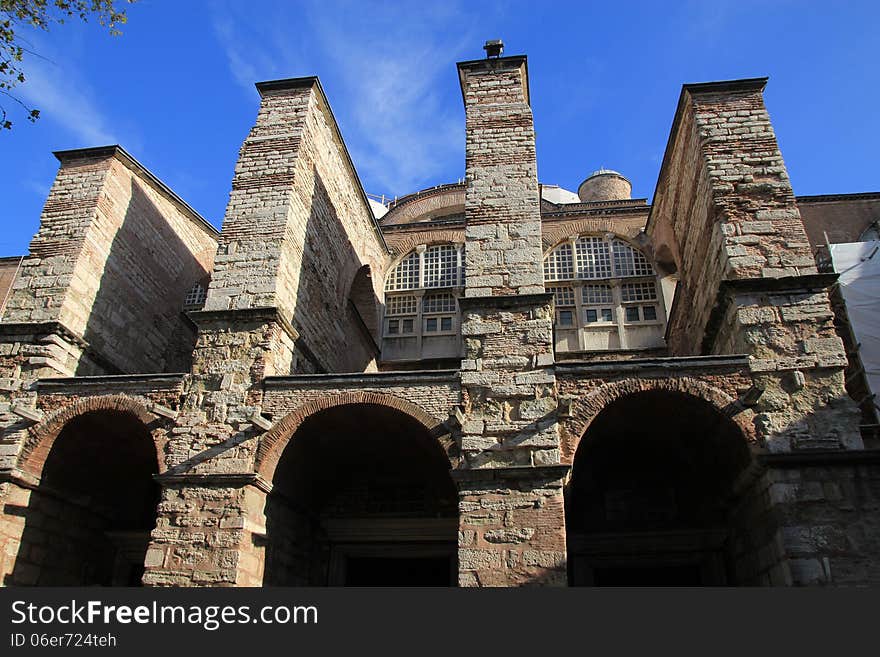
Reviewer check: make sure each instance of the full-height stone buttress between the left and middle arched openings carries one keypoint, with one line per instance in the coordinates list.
(297, 226)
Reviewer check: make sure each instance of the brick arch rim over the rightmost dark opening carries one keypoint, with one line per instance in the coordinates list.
(587, 408)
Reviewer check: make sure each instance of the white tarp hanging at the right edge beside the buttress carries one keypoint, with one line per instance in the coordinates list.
(858, 264)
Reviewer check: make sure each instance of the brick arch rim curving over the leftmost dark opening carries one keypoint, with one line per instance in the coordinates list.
(42, 436)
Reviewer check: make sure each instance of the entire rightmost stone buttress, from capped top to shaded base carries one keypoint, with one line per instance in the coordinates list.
(725, 209)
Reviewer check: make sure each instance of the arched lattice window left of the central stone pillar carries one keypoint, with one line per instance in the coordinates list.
(422, 290)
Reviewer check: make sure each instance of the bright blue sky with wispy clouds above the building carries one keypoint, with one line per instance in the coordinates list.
(176, 89)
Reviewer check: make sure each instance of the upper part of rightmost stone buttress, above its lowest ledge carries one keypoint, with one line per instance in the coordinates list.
(725, 208)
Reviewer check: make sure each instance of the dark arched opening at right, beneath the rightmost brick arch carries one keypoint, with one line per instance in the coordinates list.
(657, 497)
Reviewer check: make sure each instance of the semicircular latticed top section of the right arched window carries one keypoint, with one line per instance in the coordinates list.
(595, 257)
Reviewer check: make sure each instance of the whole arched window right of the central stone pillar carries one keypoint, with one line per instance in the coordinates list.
(606, 295)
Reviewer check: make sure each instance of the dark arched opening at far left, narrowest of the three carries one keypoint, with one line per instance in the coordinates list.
(88, 523)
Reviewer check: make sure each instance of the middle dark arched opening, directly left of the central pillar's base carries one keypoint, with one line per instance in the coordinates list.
(362, 496)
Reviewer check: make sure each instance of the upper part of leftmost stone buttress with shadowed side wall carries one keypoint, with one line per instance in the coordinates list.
(112, 262)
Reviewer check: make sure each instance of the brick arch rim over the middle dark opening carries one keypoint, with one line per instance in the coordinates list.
(274, 441)
